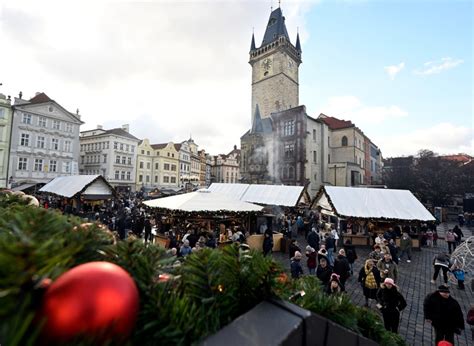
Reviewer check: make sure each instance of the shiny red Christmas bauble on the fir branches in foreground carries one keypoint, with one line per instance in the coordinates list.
(95, 300)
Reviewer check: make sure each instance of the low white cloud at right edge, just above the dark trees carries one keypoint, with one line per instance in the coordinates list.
(442, 138)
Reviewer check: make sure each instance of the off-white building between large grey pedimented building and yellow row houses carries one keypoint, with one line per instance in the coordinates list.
(110, 153)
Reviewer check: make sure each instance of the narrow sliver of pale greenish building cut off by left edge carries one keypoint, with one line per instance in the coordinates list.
(6, 114)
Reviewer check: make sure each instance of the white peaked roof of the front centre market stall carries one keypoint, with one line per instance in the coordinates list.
(203, 201)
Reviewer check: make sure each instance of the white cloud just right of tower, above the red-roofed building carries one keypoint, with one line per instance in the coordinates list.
(349, 107)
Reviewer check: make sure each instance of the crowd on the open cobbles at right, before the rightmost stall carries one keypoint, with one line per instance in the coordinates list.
(379, 275)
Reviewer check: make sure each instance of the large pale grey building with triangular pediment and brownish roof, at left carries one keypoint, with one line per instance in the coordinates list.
(44, 141)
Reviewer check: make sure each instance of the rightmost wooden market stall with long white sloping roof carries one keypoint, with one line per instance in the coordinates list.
(361, 213)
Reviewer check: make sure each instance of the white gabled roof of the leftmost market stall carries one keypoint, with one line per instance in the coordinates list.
(89, 186)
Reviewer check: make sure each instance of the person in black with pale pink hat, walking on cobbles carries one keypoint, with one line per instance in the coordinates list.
(391, 303)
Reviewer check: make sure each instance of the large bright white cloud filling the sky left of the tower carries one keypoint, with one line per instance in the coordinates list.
(168, 68)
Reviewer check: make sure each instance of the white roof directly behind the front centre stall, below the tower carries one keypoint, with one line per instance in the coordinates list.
(283, 195)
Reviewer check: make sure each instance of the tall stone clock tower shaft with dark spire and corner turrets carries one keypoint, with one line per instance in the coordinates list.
(275, 69)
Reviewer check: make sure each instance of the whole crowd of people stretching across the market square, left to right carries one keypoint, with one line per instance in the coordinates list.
(327, 257)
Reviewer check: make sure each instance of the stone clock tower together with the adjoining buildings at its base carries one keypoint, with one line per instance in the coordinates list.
(284, 144)
